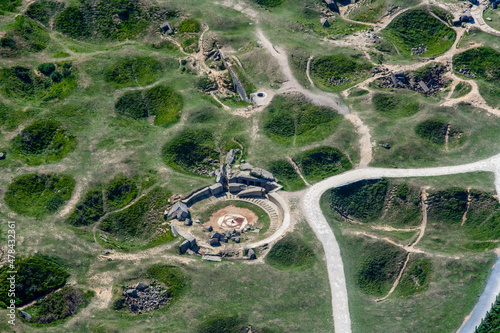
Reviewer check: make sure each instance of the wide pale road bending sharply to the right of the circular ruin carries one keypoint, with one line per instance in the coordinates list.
(315, 218)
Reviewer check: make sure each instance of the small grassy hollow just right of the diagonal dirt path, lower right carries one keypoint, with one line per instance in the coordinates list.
(415, 278)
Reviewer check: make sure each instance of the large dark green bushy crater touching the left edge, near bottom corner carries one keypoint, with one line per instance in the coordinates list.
(36, 276)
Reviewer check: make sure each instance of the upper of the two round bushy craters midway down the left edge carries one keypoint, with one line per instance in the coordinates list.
(43, 141)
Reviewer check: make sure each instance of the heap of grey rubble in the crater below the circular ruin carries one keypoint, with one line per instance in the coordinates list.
(143, 298)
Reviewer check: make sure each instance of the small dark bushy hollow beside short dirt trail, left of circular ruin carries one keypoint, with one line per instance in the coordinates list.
(90, 210)
